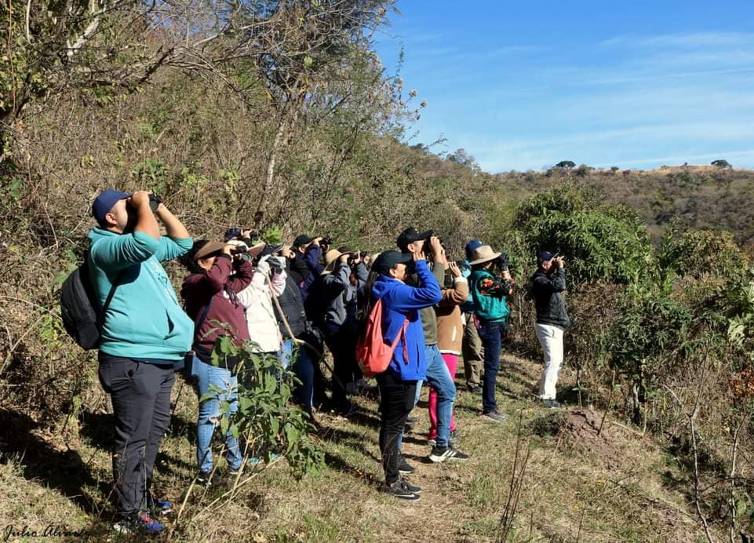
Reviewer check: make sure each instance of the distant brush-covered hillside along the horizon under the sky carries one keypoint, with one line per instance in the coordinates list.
(702, 197)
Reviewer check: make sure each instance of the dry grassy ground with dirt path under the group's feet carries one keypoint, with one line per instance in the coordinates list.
(575, 483)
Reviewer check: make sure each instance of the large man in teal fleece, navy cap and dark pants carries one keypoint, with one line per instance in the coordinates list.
(144, 337)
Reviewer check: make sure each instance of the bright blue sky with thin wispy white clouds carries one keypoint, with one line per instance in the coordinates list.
(634, 84)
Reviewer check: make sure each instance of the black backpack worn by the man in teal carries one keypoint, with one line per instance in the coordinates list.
(80, 309)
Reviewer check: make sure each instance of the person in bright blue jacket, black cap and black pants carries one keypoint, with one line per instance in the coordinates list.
(401, 303)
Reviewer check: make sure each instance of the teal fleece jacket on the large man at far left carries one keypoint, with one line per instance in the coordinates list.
(144, 319)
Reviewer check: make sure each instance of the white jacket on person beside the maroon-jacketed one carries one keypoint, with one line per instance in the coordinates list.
(260, 315)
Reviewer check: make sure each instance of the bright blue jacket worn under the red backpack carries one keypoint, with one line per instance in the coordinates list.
(400, 302)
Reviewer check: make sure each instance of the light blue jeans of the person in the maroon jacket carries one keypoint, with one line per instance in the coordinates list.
(204, 376)
